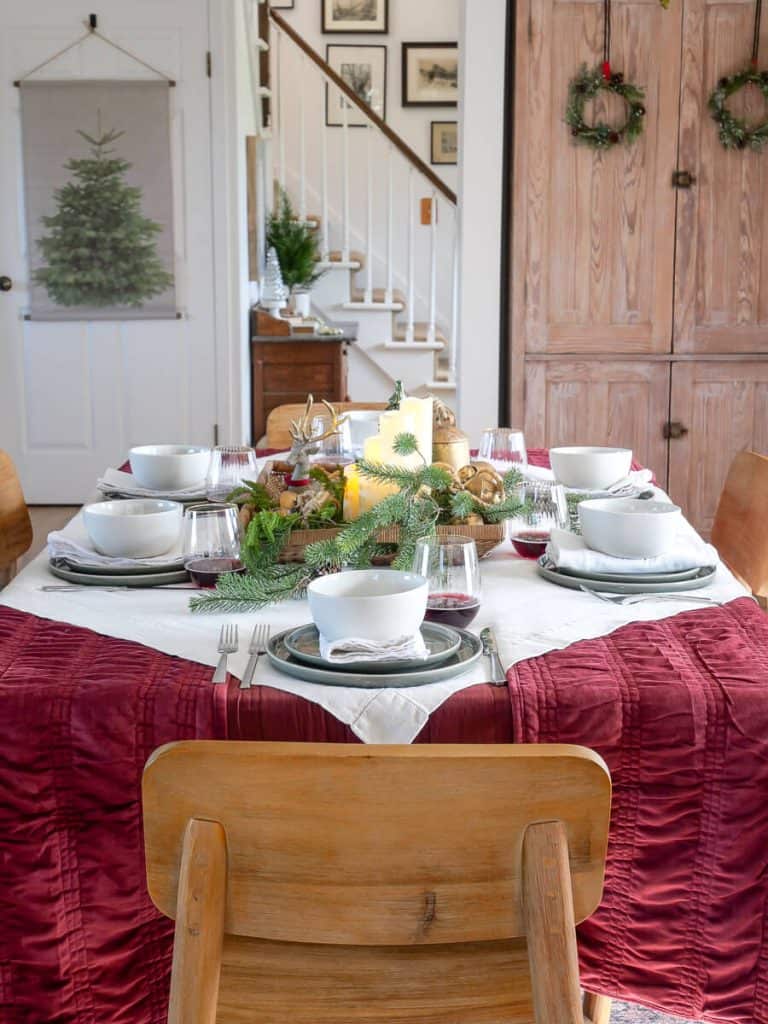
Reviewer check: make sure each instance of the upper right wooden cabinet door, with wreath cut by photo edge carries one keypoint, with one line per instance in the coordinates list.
(721, 276)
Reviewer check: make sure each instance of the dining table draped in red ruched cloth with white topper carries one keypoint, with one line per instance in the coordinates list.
(674, 697)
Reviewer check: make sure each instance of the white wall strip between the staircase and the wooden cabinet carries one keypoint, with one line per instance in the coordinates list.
(481, 163)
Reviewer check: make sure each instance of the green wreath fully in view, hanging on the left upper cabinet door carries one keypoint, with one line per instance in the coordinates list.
(586, 87)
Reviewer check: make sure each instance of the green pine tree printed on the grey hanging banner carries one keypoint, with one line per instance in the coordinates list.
(101, 250)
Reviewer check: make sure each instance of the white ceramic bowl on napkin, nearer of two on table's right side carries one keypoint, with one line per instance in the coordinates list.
(629, 528)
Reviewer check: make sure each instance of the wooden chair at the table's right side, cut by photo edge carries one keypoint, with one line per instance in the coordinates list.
(741, 530)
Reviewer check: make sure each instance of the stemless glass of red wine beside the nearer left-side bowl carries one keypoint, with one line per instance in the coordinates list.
(211, 542)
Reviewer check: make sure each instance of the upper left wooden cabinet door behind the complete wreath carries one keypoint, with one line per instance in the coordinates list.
(593, 241)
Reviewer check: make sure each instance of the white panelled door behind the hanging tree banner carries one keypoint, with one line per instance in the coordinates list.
(76, 396)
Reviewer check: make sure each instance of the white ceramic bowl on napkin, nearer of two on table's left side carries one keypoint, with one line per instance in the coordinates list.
(136, 528)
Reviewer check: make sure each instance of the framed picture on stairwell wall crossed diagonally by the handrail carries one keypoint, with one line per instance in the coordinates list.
(364, 69)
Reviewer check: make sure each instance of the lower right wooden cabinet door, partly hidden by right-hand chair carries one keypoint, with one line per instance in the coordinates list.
(724, 407)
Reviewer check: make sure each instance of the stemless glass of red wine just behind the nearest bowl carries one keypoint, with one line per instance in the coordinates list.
(450, 564)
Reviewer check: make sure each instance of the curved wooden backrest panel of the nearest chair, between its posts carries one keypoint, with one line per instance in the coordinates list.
(393, 846)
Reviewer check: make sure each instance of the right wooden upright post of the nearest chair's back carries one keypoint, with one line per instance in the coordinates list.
(550, 929)
